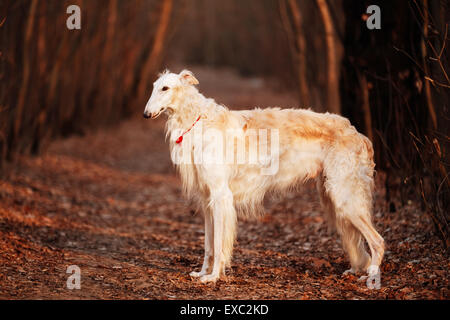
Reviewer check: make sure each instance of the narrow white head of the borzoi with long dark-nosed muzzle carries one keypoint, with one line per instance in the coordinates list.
(166, 92)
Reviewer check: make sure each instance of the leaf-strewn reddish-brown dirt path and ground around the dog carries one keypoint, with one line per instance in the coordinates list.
(110, 203)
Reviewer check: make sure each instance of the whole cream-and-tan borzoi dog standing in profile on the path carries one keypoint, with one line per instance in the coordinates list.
(303, 145)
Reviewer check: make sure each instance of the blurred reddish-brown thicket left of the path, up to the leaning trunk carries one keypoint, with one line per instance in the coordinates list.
(59, 82)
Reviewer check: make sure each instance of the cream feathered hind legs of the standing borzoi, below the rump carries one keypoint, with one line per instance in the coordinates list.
(350, 186)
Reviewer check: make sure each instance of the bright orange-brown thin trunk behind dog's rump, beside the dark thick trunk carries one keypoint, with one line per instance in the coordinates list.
(333, 97)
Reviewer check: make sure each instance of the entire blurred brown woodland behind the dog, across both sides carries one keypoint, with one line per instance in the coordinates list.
(392, 83)
